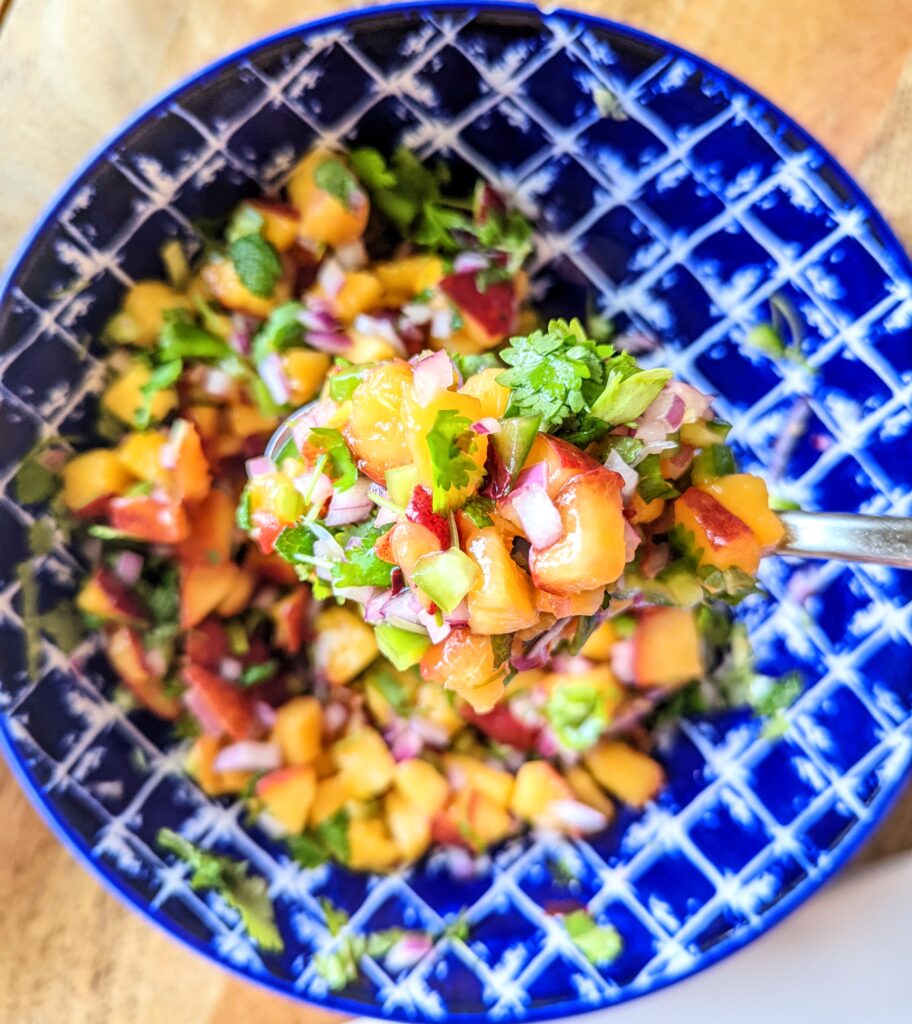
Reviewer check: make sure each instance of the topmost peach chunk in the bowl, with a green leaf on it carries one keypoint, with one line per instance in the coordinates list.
(325, 219)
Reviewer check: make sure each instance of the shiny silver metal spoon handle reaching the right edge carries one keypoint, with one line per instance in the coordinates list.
(883, 540)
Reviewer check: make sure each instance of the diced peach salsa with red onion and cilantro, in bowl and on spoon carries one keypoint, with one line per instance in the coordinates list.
(491, 559)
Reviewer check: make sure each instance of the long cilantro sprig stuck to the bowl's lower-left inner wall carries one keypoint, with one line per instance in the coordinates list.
(249, 897)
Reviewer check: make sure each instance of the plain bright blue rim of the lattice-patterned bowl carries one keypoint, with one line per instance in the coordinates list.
(61, 827)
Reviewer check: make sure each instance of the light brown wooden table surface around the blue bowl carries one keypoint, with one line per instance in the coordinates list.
(70, 73)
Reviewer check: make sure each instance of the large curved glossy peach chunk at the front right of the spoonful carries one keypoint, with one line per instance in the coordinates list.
(592, 552)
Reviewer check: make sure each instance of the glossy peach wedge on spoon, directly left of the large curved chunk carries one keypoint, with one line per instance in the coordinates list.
(502, 601)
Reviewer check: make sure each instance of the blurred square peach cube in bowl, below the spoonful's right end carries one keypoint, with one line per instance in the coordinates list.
(668, 651)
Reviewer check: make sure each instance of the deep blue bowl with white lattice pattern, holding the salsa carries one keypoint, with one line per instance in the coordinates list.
(684, 202)
